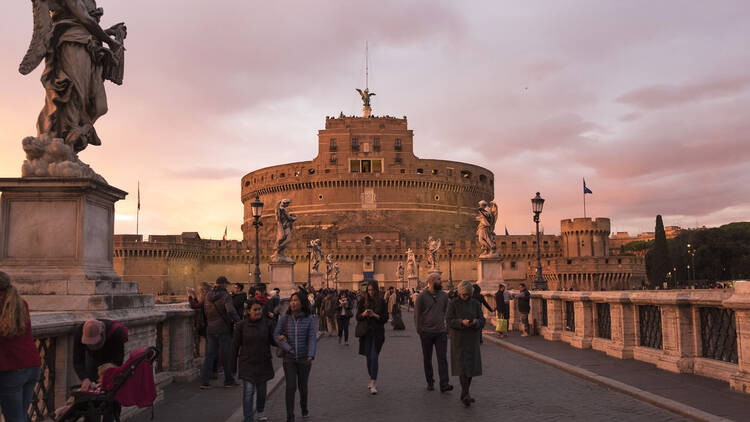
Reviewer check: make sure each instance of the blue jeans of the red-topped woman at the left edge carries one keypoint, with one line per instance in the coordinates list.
(16, 390)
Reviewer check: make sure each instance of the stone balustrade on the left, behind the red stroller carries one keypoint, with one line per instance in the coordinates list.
(167, 327)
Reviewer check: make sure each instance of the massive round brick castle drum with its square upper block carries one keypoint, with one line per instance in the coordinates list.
(366, 176)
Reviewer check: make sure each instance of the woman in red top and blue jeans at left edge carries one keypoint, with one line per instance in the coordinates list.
(19, 359)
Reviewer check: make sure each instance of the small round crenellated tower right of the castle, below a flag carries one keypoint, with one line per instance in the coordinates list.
(585, 237)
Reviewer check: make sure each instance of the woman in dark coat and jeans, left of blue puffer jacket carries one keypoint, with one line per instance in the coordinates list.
(253, 338)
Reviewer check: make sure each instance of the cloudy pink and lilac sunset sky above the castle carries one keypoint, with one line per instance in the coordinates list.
(649, 101)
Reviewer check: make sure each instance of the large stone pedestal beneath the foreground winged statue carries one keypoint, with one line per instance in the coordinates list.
(56, 243)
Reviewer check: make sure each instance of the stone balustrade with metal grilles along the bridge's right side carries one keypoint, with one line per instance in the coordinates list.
(702, 332)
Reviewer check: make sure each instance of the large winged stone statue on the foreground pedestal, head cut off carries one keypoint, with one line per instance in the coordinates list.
(67, 36)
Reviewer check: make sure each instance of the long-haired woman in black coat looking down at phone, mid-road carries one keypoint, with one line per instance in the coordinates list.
(371, 318)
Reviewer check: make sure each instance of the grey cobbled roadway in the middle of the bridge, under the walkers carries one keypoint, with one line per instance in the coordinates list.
(513, 388)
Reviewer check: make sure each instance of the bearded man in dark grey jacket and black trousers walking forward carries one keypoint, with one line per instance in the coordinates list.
(429, 317)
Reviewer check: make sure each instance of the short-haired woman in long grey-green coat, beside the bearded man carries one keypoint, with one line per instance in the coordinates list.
(465, 320)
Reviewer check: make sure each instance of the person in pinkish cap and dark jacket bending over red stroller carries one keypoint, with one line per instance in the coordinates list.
(96, 342)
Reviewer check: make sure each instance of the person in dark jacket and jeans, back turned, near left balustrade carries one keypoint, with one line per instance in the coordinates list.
(220, 319)
